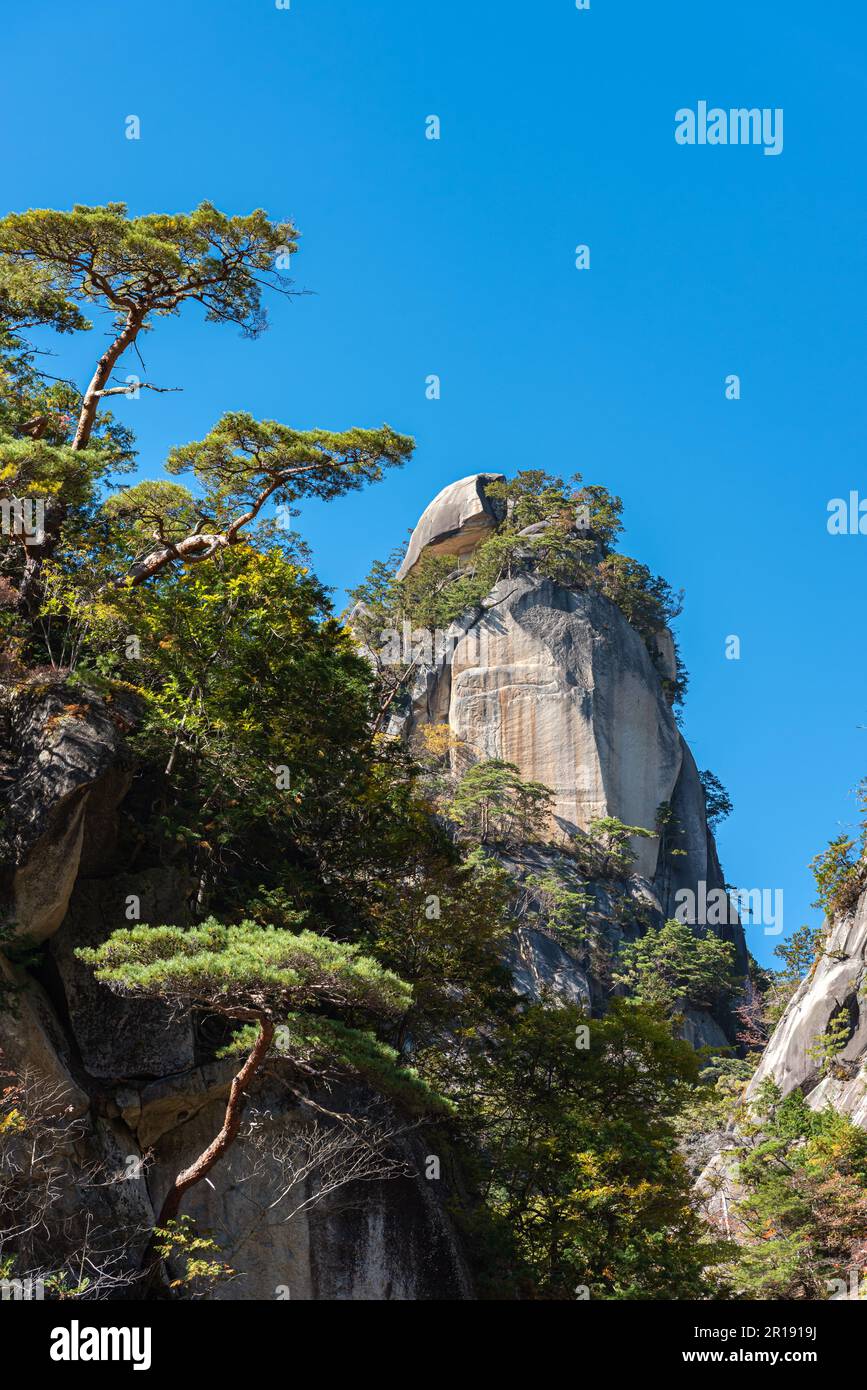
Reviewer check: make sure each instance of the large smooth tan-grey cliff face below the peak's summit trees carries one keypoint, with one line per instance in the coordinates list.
(561, 685)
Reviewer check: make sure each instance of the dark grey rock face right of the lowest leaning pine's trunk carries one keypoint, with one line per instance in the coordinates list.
(374, 1241)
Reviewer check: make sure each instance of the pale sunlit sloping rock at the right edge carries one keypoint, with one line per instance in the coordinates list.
(836, 989)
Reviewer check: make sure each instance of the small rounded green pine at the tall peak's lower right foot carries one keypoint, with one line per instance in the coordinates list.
(675, 968)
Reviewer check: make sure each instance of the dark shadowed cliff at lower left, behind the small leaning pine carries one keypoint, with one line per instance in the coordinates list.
(124, 1071)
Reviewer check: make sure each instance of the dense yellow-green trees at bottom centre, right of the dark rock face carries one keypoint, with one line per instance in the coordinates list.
(577, 1157)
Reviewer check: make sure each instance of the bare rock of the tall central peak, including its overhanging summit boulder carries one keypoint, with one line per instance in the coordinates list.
(556, 682)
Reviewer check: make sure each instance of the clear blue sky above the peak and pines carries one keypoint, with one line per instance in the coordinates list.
(458, 258)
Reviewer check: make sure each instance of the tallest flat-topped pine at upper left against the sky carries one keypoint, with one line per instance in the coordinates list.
(56, 265)
